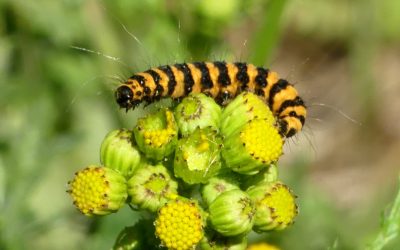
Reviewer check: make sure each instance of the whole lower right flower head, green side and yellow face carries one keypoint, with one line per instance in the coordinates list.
(275, 206)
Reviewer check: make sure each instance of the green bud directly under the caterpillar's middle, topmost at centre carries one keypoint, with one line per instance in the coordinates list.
(197, 111)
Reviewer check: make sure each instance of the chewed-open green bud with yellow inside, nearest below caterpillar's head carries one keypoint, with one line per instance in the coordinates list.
(157, 134)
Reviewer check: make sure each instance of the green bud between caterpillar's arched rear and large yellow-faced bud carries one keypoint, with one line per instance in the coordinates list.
(244, 108)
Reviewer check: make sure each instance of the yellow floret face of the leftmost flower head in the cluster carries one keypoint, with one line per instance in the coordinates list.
(89, 190)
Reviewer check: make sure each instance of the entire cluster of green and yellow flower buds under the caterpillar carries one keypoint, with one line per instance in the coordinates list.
(207, 174)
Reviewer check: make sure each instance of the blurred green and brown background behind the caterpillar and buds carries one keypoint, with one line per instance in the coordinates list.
(56, 105)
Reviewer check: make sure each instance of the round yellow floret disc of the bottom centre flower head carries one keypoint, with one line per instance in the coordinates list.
(179, 225)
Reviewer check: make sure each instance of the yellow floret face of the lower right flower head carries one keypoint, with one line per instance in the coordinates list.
(282, 204)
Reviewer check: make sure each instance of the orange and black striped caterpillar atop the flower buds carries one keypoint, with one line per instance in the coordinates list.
(220, 80)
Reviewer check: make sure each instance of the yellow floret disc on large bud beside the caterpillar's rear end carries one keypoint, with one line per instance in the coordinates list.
(262, 140)
